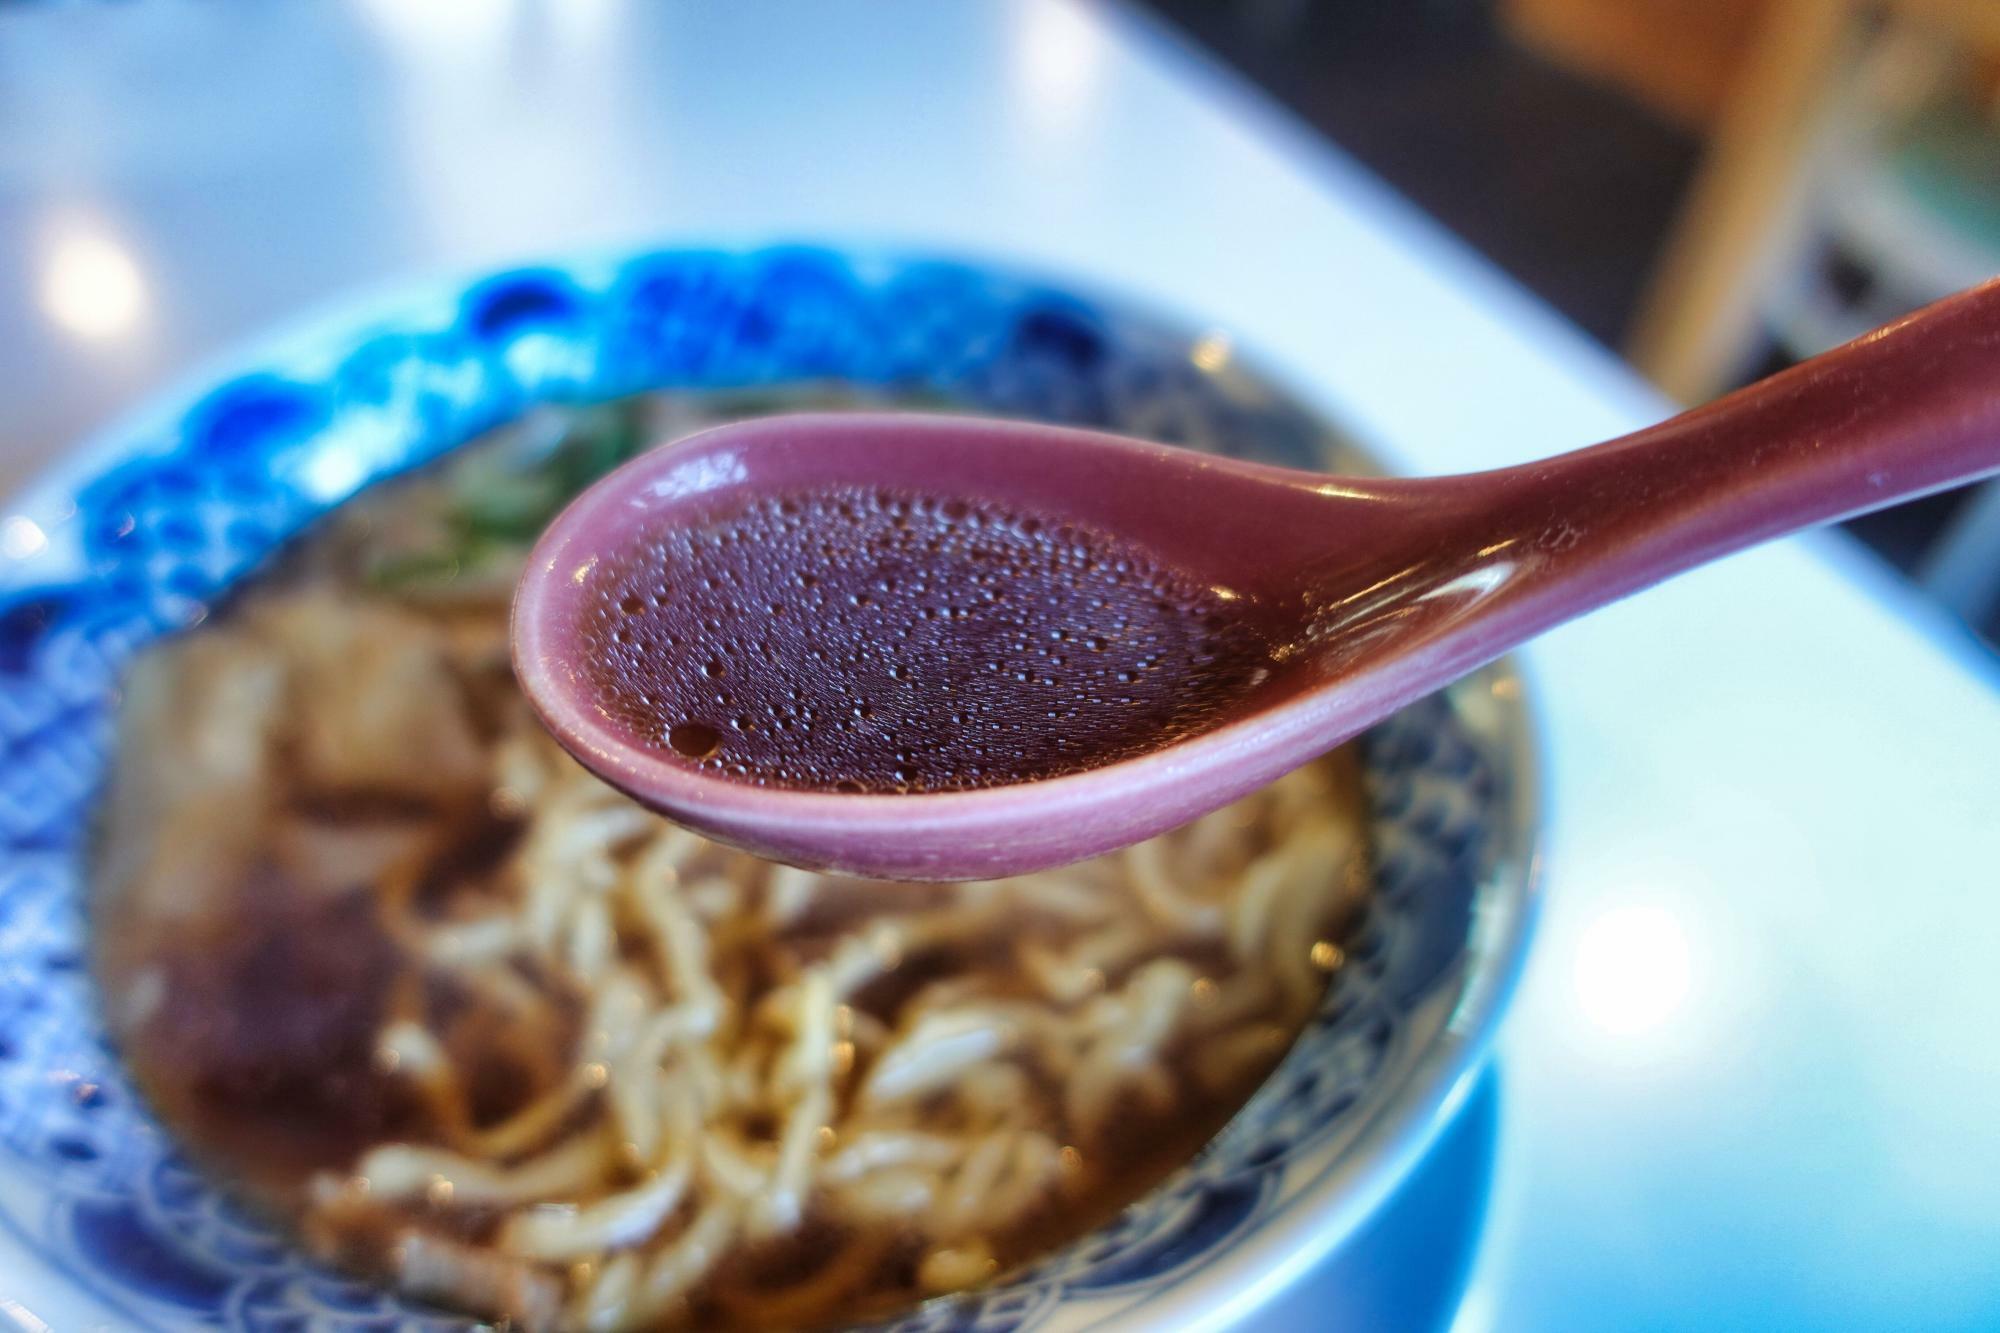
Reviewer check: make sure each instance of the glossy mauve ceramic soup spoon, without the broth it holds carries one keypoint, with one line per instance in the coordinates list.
(1389, 589)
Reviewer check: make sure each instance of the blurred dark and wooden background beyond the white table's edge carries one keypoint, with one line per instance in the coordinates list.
(1715, 189)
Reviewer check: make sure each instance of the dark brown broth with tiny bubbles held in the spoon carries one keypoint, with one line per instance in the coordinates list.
(881, 641)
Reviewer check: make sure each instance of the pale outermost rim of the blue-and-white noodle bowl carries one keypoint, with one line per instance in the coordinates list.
(1417, 1102)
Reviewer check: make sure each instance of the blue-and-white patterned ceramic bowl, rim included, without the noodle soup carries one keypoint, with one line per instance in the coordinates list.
(105, 1224)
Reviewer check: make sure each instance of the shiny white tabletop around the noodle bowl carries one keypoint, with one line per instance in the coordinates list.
(1751, 1078)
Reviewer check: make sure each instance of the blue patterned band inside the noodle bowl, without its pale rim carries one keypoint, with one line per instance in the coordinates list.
(175, 519)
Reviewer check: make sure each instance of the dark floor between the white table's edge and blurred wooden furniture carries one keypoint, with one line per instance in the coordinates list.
(1567, 185)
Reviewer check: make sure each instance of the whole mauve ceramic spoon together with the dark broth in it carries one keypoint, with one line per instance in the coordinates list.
(939, 647)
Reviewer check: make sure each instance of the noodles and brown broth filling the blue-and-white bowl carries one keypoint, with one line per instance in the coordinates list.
(475, 1024)
